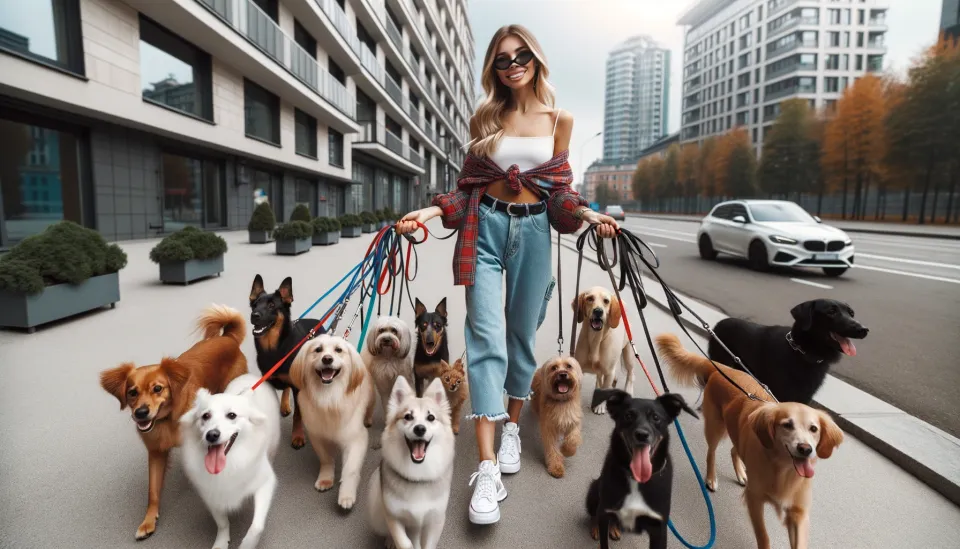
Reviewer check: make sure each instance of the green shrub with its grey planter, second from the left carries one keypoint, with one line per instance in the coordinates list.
(189, 254)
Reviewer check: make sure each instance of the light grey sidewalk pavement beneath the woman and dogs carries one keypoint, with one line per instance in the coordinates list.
(73, 472)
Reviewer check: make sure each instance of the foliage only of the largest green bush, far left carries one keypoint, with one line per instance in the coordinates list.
(64, 253)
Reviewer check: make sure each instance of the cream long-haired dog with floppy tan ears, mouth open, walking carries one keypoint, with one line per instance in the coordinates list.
(337, 397)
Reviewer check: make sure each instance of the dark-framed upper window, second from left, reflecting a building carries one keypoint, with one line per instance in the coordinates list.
(174, 73)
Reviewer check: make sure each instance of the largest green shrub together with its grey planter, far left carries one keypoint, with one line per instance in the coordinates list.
(63, 271)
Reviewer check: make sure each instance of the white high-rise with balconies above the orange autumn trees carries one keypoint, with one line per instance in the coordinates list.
(742, 58)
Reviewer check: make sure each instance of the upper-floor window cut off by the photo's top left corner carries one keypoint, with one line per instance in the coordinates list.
(47, 31)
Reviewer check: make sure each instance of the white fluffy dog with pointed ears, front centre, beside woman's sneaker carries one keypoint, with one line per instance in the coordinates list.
(410, 490)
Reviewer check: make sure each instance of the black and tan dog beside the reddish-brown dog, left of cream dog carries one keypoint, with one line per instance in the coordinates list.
(274, 335)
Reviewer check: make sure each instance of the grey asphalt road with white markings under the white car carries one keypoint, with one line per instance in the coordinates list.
(905, 289)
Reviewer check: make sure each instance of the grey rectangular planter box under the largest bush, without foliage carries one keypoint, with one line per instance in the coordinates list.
(58, 302)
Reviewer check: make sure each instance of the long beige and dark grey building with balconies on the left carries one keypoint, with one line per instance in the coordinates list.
(137, 117)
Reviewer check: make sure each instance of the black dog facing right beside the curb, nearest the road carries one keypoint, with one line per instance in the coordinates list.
(791, 361)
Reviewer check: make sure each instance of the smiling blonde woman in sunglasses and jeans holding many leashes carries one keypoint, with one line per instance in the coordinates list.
(514, 185)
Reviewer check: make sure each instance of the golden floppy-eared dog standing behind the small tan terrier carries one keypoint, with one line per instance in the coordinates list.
(603, 341)
